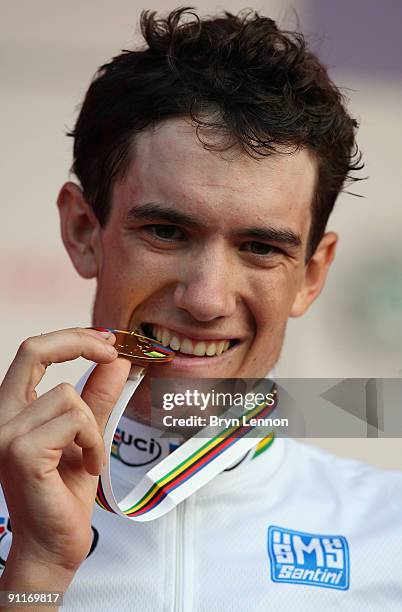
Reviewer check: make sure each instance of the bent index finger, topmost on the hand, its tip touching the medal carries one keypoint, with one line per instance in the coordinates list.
(34, 354)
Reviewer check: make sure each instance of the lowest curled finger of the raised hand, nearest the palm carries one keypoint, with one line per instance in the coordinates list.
(38, 452)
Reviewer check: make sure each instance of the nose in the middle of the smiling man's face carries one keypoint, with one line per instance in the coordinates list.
(207, 287)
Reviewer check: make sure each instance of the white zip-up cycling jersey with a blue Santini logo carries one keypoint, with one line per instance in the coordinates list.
(292, 528)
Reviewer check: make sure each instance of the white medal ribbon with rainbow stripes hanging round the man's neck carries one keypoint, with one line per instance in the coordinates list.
(188, 468)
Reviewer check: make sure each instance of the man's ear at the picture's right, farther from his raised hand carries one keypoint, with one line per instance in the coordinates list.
(315, 274)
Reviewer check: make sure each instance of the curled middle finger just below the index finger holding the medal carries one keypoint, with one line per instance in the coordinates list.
(50, 405)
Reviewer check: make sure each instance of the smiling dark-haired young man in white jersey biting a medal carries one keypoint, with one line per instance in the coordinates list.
(208, 163)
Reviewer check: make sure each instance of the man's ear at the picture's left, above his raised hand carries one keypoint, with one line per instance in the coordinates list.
(80, 230)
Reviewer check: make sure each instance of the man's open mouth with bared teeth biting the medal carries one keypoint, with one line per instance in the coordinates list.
(185, 345)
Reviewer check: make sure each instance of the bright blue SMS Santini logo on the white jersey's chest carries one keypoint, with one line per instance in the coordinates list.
(308, 558)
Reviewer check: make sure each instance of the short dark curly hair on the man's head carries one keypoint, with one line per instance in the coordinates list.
(237, 76)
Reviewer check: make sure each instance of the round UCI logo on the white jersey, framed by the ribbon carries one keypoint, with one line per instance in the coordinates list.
(135, 451)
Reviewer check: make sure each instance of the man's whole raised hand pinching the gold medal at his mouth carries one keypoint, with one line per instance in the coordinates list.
(51, 448)
